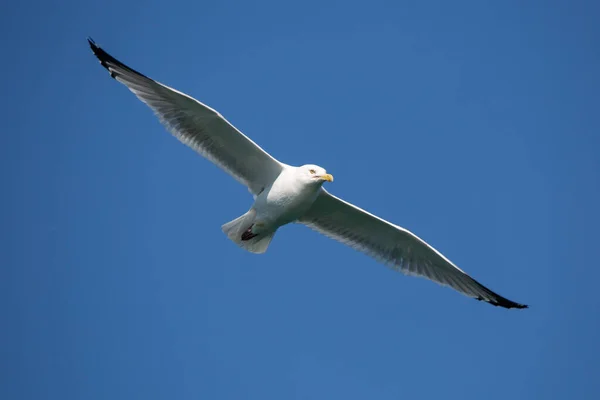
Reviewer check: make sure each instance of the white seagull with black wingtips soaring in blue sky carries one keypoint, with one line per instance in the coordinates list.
(286, 194)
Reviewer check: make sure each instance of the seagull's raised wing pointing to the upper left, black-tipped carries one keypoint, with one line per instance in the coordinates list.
(198, 126)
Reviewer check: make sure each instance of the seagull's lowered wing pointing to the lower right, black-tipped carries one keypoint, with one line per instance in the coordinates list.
(394, 246)
